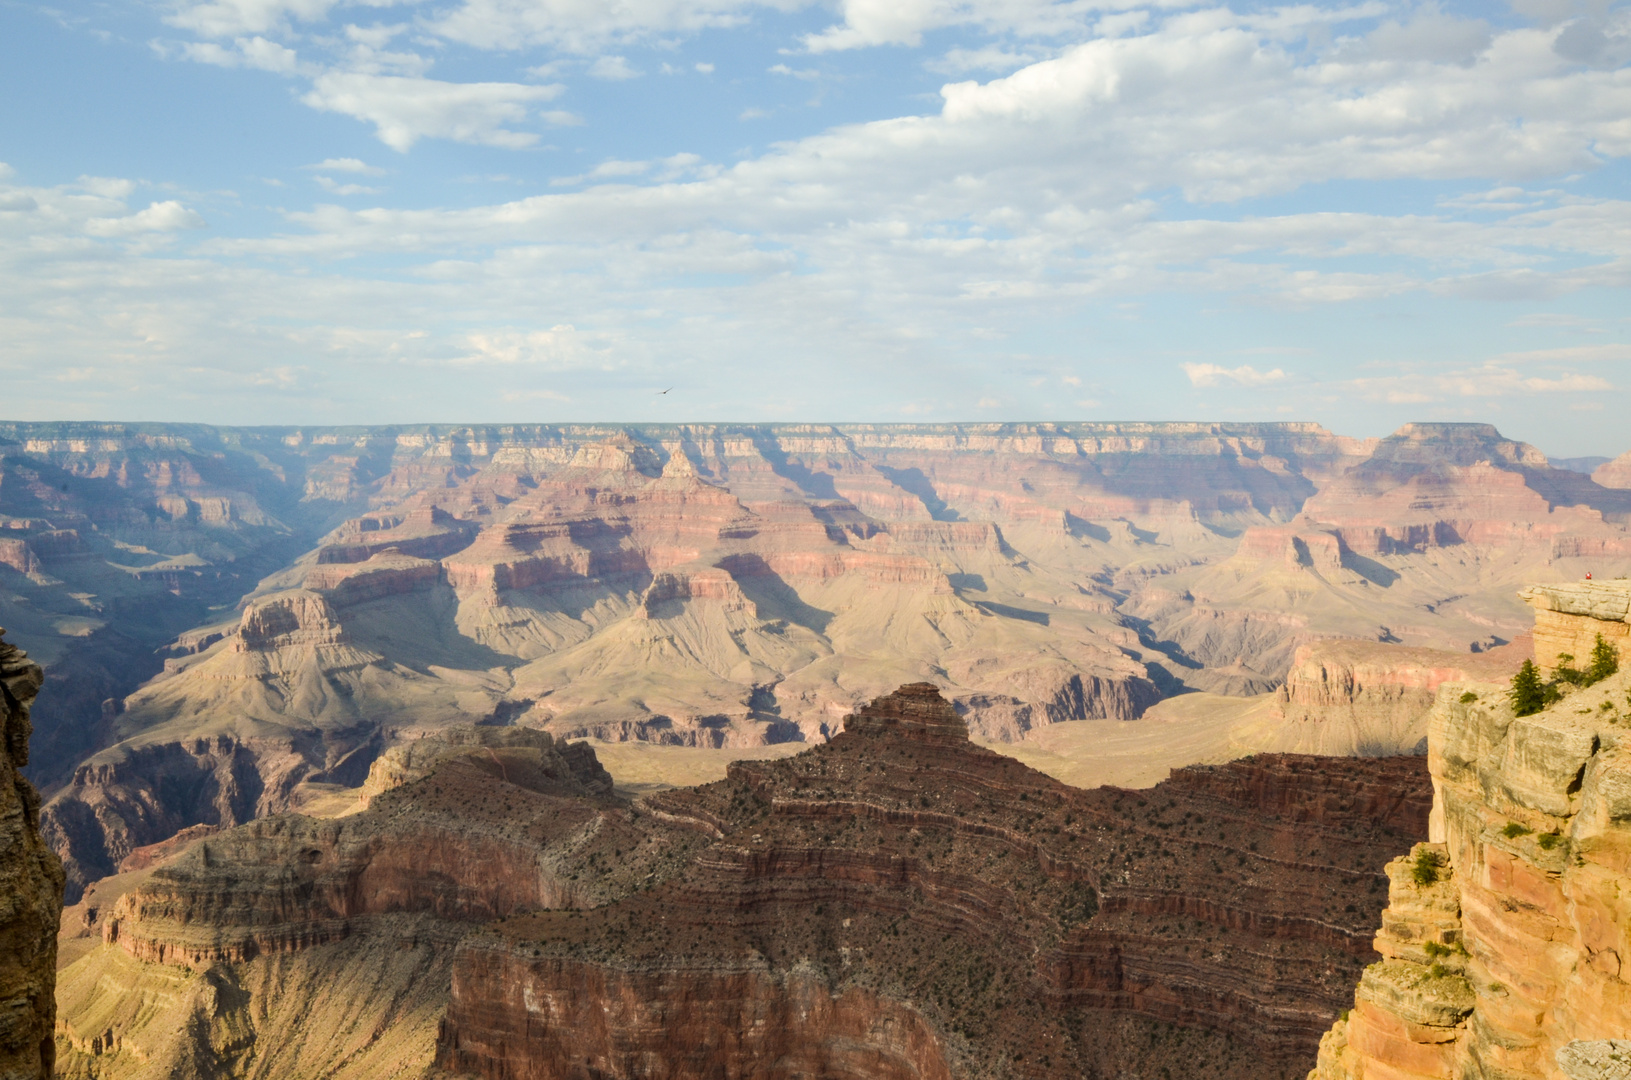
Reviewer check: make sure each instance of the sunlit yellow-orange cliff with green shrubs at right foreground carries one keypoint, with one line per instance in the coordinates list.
(1506, 957)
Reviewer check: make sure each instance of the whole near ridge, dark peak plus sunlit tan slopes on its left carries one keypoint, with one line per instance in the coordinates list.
(896, 901)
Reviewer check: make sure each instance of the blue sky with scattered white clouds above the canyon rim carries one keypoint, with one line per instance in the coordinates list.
(536, 211)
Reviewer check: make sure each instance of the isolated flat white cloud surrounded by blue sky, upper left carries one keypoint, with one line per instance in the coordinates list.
(407, 110)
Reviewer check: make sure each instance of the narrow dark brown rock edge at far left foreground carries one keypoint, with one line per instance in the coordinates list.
(30, 890)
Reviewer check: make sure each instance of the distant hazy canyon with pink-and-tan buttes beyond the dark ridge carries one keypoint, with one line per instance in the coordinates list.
(241, 622)
